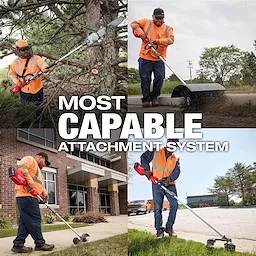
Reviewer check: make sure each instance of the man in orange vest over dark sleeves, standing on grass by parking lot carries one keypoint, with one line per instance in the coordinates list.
(164, 165)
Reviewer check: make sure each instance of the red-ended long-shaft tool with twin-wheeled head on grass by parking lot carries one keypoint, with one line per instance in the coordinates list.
(210, 242)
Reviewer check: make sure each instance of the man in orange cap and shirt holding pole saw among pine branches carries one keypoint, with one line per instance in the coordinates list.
(25, 65)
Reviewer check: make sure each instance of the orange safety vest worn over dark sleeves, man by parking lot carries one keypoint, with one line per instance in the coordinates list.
(162, 167)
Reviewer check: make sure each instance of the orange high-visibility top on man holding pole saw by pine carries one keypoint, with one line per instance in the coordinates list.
(35, 64)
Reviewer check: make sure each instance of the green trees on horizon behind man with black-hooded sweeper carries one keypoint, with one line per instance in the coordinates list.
(226, 65)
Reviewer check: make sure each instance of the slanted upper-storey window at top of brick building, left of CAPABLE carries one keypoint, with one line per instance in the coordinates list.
(43, 136)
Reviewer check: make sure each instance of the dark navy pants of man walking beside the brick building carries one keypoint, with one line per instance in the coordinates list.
(29, 221)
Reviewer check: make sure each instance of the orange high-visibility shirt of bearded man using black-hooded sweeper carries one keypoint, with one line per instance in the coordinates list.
(151, 31)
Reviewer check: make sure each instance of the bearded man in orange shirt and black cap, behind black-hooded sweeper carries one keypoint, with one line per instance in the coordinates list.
(160, 36)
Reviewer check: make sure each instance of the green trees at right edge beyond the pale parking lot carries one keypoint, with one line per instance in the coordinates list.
(239, 181)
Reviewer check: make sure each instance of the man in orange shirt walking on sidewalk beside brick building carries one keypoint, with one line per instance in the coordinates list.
(26, 197)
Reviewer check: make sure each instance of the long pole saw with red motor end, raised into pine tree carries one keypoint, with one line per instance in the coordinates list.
(92, 38)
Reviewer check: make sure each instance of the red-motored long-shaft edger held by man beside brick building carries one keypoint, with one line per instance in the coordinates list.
(18, 178)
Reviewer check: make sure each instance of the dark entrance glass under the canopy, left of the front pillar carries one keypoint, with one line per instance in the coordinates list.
(77, 199)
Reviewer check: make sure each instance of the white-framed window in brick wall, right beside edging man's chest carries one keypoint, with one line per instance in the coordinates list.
(50, 185)
